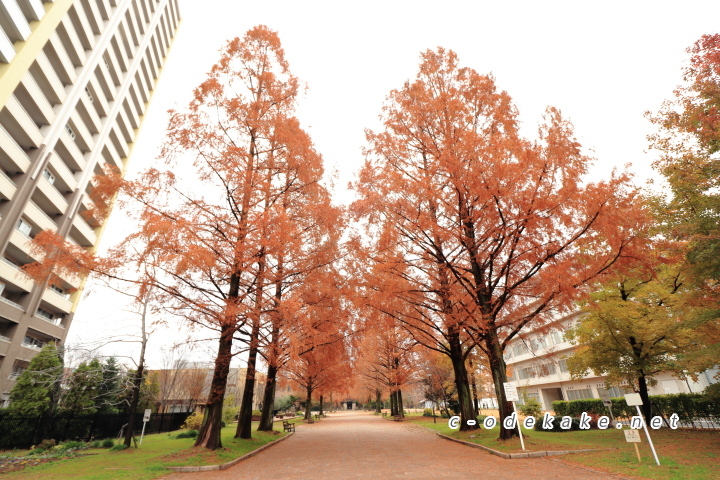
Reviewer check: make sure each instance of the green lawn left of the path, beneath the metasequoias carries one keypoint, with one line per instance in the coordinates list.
(147, 462)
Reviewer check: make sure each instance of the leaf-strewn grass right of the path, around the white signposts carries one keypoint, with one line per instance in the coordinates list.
(683, 454)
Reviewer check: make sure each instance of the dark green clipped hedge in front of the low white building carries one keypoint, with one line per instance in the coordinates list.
(688, 406)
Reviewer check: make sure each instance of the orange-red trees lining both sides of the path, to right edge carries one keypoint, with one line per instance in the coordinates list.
(465, 233)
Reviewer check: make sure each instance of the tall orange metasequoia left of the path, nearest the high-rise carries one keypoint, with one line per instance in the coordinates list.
(210, 244)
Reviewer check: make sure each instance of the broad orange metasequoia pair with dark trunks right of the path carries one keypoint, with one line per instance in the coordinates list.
(505, 231)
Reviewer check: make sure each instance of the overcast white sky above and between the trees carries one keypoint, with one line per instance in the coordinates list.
(603, 64)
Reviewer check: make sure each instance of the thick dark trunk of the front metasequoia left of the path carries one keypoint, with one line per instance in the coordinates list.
(209, 434)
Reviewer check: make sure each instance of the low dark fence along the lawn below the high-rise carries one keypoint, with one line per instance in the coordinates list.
(23, 432)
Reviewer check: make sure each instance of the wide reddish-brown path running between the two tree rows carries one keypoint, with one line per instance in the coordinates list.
(358, 445)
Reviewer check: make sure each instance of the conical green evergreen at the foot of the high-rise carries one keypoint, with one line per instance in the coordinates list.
(38, 387)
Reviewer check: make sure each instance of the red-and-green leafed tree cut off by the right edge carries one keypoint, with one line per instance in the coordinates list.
(688, 144)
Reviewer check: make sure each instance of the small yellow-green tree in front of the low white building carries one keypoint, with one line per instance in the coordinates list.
(640, 323)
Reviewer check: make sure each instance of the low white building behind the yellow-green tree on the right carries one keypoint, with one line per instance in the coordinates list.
(537, 366)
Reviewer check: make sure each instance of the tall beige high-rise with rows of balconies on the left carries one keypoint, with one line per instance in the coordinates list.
(76, 77)
